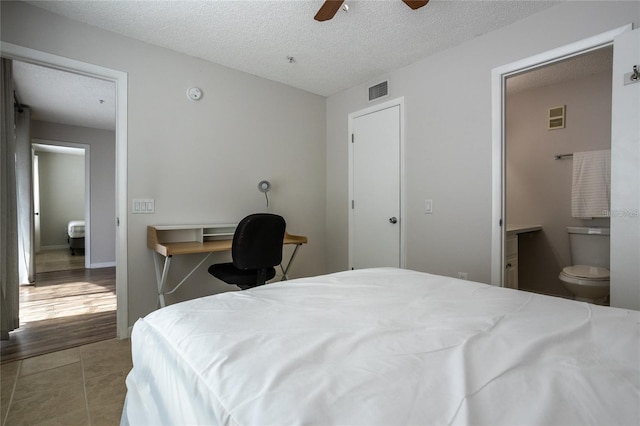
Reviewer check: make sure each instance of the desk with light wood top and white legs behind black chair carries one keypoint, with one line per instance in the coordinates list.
(167, 241)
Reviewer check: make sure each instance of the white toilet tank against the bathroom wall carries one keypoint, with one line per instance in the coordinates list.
(589, 246)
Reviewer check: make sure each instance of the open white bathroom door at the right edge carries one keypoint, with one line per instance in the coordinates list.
(625, 173)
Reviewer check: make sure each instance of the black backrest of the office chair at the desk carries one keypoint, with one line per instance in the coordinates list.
(257, 241)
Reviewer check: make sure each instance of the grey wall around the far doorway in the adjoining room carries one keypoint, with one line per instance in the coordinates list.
(103, 171)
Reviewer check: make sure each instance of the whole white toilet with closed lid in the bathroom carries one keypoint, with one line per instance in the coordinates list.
(588, 278)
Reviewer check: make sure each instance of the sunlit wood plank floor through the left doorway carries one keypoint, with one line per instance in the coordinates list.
(64, 309)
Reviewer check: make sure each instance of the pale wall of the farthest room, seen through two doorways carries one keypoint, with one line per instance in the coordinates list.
(61, 196)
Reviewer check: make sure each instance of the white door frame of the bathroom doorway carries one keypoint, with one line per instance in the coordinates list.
(498, 158)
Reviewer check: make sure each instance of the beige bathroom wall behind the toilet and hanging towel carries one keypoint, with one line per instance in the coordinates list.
(539, 187)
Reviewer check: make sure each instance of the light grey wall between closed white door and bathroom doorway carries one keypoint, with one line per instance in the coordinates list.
(448, 137)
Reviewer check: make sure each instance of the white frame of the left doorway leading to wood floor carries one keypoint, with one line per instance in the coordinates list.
(37, 57)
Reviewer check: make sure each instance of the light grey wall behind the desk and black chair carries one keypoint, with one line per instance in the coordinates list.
(200, 161)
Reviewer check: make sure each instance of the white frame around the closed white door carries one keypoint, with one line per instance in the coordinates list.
(352, 116)
